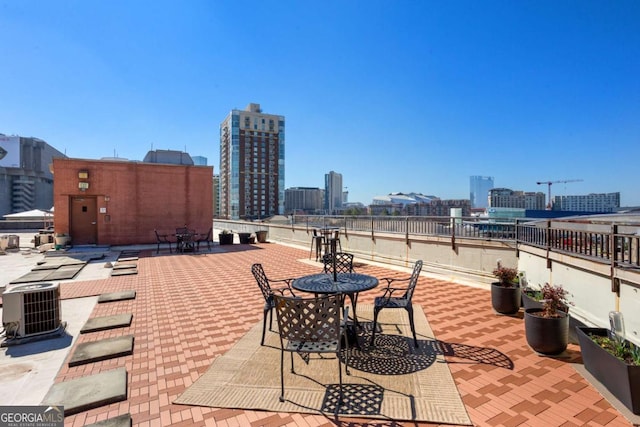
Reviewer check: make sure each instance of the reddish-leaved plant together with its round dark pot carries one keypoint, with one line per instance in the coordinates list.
(547, 328)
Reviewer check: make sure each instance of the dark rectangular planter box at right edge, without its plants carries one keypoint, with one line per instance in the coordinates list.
(622, 380)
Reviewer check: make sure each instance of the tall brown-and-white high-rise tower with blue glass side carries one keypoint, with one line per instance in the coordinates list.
(251, 164)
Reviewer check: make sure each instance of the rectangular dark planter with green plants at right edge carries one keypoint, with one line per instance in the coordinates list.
(614, 362)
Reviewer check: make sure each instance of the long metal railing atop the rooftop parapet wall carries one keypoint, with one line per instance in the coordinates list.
(600, 240)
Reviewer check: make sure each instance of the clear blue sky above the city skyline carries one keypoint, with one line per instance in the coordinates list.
(395, 95)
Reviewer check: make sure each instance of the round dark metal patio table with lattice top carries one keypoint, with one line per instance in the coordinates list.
(350, 284)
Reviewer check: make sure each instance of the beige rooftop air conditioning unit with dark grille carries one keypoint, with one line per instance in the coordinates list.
(30, 310)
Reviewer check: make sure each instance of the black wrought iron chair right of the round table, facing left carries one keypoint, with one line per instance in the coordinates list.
(398, 297)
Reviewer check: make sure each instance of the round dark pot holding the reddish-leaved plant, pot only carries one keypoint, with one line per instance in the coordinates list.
(546, 335)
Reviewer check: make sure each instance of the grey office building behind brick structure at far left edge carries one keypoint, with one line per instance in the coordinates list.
(26, 181)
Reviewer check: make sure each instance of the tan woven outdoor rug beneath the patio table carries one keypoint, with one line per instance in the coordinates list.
(391, 380)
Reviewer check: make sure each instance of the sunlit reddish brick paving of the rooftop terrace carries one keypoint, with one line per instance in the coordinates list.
(190, 309)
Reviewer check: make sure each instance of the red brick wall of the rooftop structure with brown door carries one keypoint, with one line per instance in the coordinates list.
(138, 197)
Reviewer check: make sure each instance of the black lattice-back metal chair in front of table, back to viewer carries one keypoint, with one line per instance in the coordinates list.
(311, 325)
